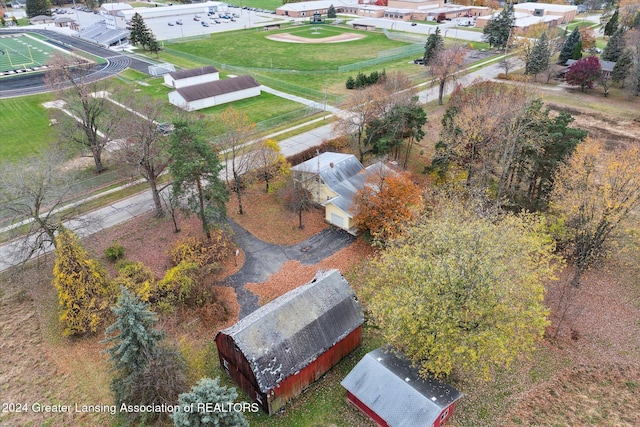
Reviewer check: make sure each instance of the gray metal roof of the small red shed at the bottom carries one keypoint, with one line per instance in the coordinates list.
(392, 388)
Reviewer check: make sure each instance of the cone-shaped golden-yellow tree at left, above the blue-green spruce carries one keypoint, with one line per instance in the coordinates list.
(83, 287)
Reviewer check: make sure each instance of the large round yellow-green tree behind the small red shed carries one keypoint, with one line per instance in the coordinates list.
(463, 293)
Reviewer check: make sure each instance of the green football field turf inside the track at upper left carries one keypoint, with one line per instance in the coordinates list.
(23, 51)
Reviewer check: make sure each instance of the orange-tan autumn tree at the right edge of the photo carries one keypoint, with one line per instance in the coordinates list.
(596, 192)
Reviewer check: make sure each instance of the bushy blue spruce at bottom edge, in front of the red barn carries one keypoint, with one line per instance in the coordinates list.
(208, 390)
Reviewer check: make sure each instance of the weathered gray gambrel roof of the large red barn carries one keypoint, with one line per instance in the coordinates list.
(287, 334)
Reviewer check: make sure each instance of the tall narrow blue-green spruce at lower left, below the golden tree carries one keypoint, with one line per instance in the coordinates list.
(134, 340)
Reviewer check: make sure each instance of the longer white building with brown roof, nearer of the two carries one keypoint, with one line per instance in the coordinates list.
(204, 95)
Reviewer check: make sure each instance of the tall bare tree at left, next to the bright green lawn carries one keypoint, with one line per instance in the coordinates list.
(89, 118)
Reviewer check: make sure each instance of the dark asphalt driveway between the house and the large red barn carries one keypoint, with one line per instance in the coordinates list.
(263, 259)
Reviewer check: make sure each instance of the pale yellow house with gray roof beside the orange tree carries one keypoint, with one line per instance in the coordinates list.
(333, 180)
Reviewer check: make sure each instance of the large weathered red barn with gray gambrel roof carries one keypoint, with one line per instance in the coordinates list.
(280, 349)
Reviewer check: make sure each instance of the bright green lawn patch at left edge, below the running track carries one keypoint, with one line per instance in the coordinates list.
(25, 126)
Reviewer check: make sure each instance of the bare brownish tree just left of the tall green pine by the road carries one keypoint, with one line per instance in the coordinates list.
(143, 145)
